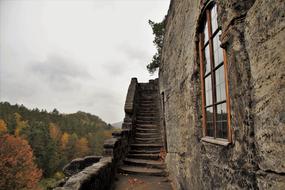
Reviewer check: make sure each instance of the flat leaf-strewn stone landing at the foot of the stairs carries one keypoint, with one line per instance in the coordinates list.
(138, 182)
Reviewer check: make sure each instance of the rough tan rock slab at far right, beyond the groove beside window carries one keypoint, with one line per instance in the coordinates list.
(265, 44)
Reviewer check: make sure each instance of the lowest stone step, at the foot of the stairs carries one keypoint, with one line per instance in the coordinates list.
(141, 171)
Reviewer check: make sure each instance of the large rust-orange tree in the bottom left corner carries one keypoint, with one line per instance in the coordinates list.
(18, 170)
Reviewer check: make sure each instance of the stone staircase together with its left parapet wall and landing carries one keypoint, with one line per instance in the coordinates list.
(135, 152)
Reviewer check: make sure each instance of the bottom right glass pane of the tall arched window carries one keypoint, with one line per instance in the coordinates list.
(221, 124)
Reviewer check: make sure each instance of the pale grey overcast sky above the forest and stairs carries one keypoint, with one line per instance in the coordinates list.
(75, 54)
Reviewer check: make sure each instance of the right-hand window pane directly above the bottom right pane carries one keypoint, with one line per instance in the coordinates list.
(220, 84)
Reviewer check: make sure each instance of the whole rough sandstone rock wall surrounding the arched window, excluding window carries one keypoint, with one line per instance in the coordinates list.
(253, 35)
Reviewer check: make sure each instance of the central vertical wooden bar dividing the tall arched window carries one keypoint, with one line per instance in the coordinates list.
(208, 12)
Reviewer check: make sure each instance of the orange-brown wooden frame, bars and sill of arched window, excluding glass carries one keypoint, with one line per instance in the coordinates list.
(208, 20)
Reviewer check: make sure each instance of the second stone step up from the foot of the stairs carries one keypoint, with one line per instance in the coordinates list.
(144, 163)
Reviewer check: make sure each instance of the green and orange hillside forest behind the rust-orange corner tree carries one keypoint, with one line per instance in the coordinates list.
(55, 138)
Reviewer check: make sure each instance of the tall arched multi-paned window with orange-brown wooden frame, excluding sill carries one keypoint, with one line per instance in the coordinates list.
(215, 101)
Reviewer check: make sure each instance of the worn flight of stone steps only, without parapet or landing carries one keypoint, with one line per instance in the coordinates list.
(144, 157)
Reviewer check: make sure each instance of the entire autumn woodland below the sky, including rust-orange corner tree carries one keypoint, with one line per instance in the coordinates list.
(48, 141)
